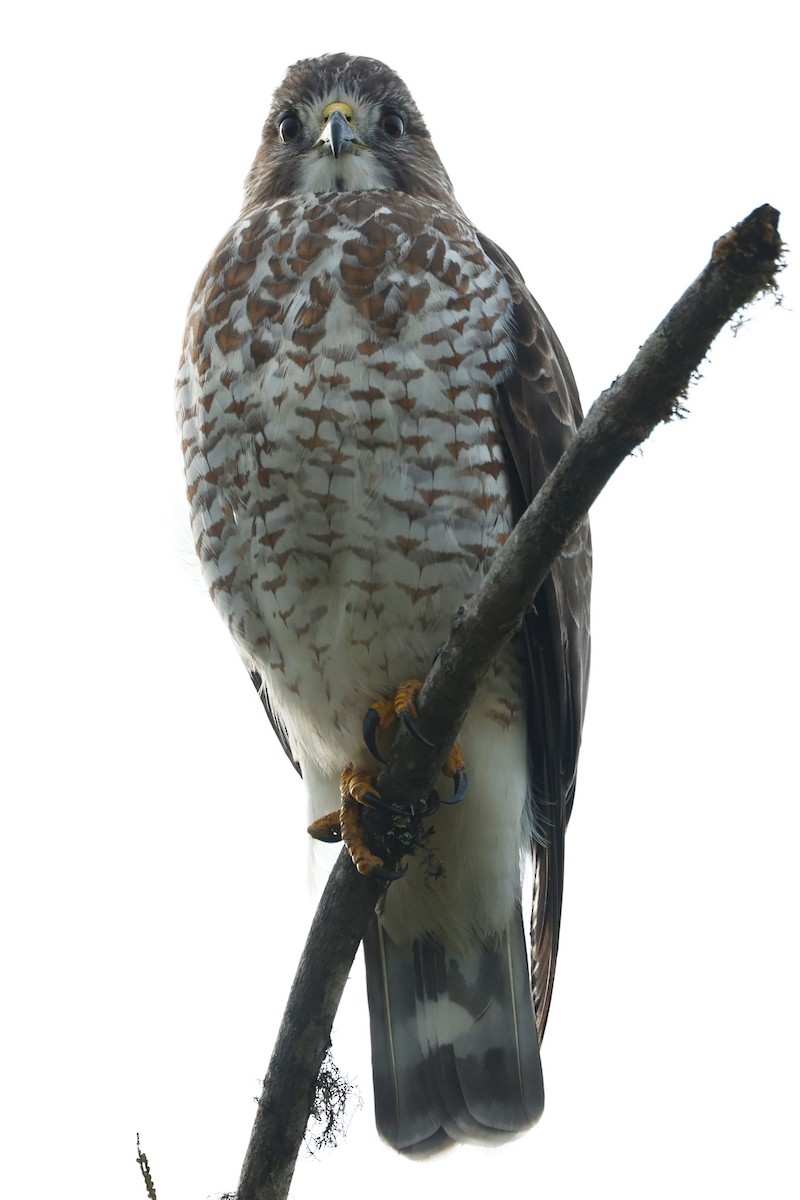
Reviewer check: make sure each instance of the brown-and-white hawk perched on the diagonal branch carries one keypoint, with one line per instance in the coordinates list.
(369, 398)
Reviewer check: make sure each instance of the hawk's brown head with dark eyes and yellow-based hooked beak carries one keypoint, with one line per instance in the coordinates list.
(345, 124)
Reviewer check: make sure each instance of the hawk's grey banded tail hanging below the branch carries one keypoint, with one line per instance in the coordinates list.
(455, 1053)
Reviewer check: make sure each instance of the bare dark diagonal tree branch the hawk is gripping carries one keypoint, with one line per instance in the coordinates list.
(744, 263)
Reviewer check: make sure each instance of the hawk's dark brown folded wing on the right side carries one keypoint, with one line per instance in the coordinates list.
(539, 412)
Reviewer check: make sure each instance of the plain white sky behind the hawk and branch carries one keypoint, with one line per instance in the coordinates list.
(154, 859)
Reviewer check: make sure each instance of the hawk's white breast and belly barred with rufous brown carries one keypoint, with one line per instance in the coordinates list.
(345, 470)
